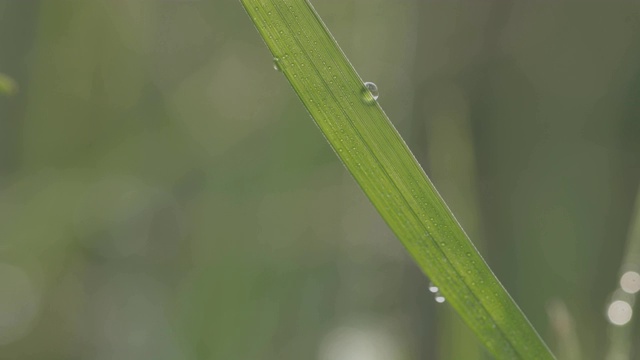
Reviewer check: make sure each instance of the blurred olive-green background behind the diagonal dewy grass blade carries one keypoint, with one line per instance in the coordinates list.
(164, 194)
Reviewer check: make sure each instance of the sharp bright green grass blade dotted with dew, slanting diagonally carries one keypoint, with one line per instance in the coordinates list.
(381, 163)
